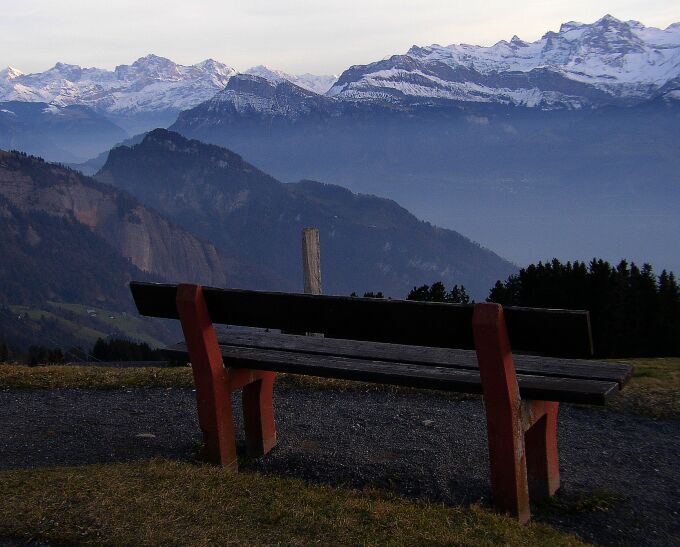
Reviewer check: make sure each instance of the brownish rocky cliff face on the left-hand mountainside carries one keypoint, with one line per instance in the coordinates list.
(137, 233)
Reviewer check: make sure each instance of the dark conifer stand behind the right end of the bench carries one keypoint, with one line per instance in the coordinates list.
(632, 311)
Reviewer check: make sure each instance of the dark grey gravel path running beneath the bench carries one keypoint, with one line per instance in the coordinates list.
(418, 445)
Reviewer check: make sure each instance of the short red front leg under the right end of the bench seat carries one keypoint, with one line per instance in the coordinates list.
(542, 460)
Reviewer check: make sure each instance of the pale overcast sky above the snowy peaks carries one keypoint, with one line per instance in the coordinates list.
(321, 37)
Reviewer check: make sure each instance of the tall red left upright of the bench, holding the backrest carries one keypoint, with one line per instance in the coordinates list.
(213, 388)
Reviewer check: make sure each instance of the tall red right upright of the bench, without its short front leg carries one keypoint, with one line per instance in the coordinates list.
(509, 486)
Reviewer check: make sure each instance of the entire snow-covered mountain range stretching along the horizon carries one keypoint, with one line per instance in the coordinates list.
(582, 65)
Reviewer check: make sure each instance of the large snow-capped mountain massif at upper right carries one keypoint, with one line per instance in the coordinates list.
(609, 61)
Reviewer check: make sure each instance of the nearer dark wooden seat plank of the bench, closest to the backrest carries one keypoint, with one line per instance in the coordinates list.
(404, 374)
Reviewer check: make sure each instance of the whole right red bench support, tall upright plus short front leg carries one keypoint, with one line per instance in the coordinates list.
(522, 434)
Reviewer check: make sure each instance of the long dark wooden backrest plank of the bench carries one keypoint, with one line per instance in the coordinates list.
(544, 331)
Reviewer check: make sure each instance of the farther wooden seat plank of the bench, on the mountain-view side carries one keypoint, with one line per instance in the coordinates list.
(418, 355)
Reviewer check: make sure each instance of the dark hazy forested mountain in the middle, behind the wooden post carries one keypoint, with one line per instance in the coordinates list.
(368, 243)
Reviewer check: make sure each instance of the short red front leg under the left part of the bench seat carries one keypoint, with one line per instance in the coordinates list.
(258, 415)
